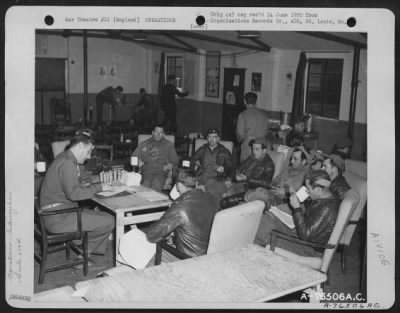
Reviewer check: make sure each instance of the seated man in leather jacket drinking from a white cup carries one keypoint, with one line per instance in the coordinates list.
(314, 219)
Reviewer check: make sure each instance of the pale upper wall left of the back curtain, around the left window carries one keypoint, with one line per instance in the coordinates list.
(132, 65)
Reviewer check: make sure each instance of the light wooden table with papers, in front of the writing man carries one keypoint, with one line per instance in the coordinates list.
(133, 209)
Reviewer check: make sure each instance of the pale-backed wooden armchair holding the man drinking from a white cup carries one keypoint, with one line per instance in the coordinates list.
(346, 209)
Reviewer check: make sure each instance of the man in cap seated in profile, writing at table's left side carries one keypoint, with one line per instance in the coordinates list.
(63, 187)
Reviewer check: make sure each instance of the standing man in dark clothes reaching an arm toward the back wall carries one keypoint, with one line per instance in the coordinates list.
(168, 103)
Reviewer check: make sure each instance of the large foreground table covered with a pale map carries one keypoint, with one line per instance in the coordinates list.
(248, 274)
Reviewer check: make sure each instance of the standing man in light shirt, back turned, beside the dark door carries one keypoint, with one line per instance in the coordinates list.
(252, 123)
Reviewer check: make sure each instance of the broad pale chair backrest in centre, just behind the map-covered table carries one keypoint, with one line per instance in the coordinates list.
(235, 227)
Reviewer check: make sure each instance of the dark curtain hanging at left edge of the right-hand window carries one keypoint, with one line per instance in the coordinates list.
(298, 95)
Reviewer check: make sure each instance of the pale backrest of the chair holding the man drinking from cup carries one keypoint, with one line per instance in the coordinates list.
(346, 209)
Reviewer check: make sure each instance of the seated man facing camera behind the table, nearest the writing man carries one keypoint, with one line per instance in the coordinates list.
(157, 156)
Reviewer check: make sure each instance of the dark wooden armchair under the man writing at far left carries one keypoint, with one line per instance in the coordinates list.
(54, 242)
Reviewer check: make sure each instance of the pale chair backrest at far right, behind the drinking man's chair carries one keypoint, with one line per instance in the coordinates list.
(359, 184)
